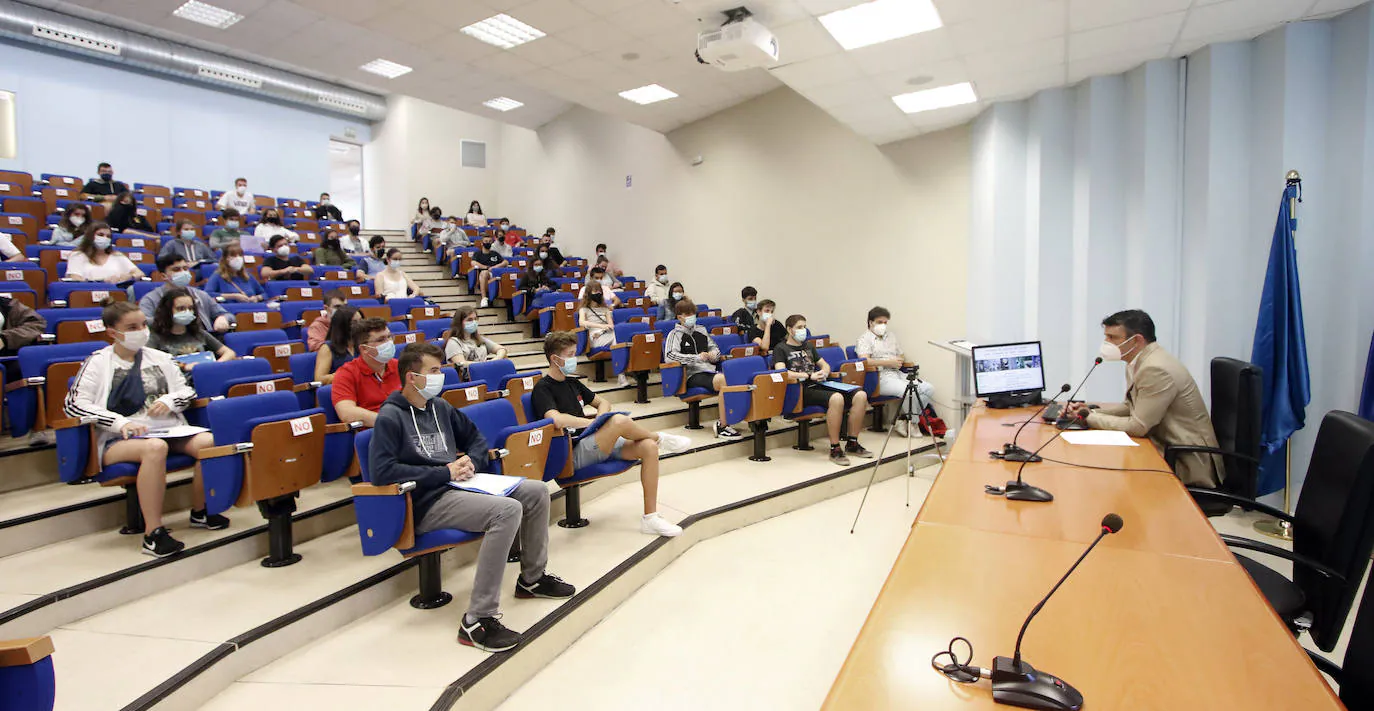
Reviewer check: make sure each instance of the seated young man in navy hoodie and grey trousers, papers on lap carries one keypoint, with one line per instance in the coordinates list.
(421, 438)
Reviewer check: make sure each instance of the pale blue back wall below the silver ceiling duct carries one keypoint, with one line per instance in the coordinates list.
(75, 113)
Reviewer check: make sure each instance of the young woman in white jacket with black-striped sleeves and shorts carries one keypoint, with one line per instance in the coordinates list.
(126, 408)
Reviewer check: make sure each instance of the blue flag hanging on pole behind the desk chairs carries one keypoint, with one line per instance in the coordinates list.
(1281, 350)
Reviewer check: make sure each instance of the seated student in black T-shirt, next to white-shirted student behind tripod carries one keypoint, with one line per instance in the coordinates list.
(800, 360)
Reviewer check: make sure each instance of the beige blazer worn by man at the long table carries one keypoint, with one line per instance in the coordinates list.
(1164, 404)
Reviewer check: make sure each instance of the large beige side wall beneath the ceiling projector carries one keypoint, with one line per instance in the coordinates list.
(788, 200)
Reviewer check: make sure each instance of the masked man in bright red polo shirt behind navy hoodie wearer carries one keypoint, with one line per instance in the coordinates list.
(363, 384)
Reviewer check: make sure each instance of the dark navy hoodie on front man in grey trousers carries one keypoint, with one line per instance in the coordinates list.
(412, 445)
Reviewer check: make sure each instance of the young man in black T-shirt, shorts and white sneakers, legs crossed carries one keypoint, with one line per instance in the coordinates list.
(561, 397)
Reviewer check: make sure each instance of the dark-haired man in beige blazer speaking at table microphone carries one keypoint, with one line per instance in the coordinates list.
(1162, 400)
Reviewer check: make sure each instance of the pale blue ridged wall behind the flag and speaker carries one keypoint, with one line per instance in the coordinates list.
(1174, 211)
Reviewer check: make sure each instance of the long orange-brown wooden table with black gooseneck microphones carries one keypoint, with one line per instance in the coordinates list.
(1160, 617)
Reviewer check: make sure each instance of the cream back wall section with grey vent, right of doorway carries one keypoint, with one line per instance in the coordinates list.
(417, 153)
